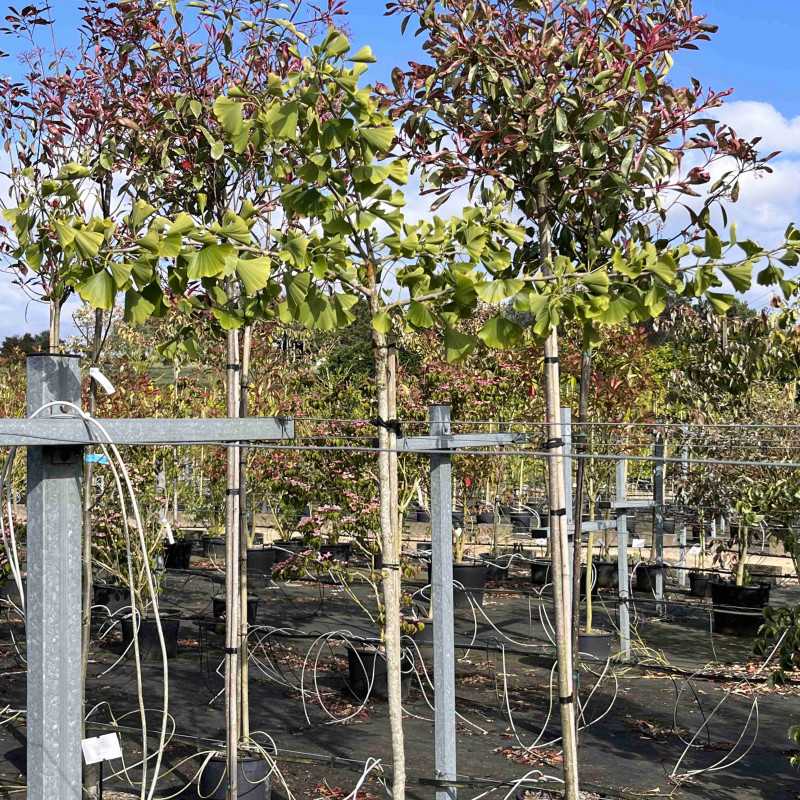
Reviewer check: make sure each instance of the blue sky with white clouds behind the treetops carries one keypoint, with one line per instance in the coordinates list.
(755, 52)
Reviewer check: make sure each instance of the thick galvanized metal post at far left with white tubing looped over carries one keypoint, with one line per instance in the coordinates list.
(53, 614)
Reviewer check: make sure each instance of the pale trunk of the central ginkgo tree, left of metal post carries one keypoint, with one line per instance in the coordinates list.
(387, 440)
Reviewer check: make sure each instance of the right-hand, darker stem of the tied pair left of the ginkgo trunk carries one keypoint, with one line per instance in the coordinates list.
(244, 661)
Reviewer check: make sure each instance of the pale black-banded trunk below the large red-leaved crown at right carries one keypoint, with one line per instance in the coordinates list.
(558, 530)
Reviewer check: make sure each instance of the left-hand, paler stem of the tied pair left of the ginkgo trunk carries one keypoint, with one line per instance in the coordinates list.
(232, 546)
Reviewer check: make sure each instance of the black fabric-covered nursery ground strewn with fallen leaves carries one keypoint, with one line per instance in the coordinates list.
(631, 751)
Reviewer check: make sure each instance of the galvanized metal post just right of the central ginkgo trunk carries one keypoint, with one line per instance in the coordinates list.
(442, 601)
